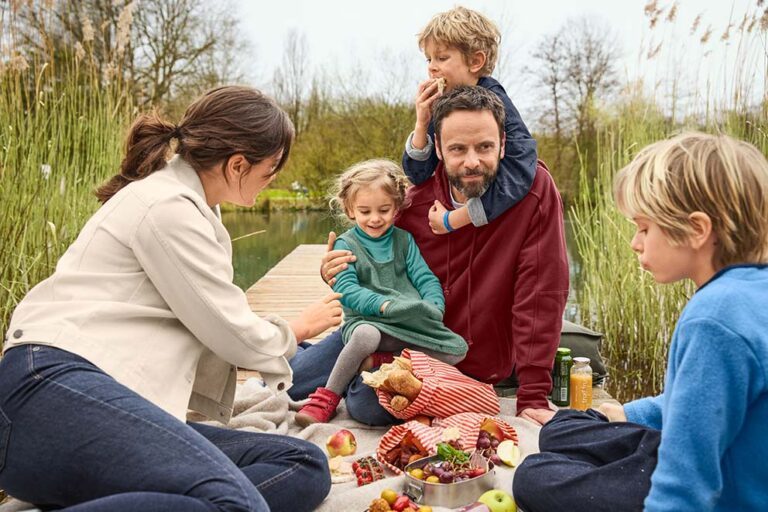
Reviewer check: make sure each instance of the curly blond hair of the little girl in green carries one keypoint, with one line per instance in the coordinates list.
(380, 173)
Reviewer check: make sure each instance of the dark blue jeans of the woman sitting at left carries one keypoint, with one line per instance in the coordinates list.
(73, 438)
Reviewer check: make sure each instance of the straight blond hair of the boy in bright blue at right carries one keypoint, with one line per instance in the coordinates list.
(694, 172)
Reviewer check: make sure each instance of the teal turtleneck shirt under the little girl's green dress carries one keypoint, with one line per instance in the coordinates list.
(367, 302)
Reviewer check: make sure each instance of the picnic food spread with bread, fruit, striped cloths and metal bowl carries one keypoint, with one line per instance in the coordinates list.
(450, 447)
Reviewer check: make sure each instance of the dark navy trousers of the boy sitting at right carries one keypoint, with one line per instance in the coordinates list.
(588, 464)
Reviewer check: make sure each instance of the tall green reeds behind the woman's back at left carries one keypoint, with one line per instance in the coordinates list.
(61, 130)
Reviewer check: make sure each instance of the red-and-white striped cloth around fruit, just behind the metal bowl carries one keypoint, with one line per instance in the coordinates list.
(429, 436)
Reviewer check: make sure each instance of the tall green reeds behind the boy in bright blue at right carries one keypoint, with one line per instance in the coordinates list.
(615, 295)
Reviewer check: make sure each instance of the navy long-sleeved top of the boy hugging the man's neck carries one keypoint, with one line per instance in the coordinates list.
(516, 170)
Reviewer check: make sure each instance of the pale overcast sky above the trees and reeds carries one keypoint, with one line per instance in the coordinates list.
(377, 39)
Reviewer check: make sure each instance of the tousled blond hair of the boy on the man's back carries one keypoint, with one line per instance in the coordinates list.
(466, 30)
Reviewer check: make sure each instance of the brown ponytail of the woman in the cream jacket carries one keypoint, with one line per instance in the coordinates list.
(146, 150)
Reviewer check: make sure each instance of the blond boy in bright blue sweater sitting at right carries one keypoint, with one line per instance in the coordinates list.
(700, 203)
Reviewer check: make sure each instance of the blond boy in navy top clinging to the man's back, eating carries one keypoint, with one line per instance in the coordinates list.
(461, 47)
